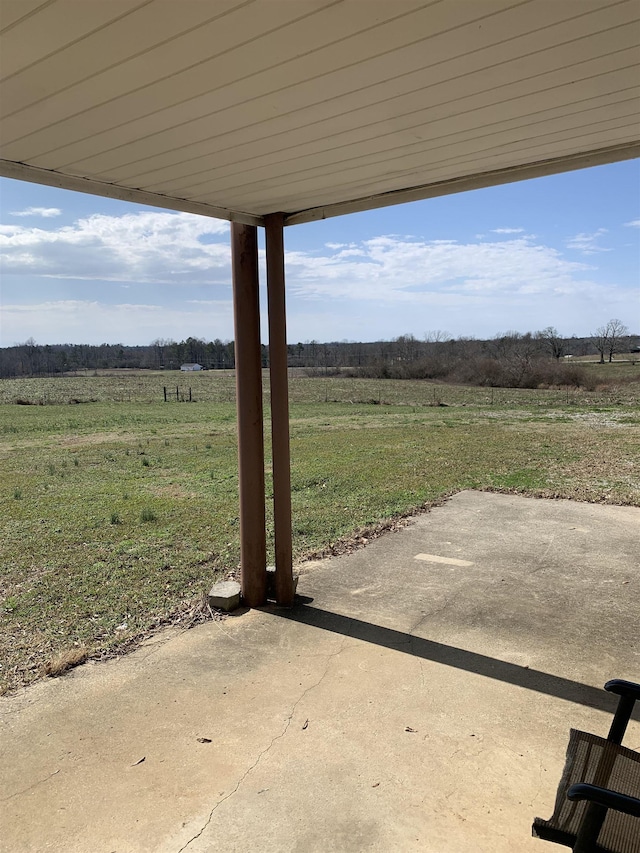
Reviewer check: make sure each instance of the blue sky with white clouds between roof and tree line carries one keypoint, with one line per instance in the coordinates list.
(561, 251)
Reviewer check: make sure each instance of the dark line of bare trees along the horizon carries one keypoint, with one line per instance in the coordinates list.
(509, 358)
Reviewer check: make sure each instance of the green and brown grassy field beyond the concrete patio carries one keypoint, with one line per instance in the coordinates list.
(118, 510)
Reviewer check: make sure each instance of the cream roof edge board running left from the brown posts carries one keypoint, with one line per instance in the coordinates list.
(23, 172)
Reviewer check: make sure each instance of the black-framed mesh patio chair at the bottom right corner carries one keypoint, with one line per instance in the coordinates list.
(597, 806)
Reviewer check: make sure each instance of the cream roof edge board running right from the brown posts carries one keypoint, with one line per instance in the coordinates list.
(553, 166)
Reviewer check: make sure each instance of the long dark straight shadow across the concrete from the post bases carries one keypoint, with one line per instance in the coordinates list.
(529, 679)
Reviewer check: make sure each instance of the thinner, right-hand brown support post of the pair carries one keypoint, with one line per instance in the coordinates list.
(279, 409)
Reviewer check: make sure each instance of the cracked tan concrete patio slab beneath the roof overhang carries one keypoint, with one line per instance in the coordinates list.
(419, 699)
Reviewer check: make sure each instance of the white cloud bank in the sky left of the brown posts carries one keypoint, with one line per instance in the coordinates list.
(141, 247)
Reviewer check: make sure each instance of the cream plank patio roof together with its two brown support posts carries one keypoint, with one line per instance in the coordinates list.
(275, 112)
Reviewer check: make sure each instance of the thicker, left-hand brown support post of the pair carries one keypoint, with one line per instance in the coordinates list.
(246, 305)
